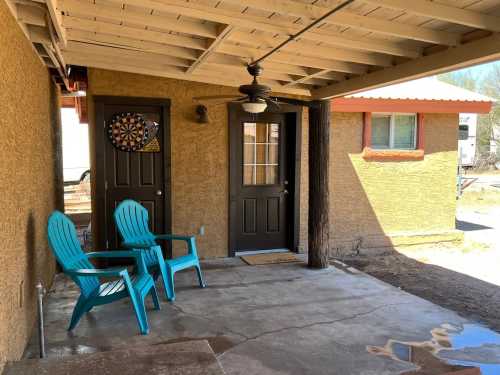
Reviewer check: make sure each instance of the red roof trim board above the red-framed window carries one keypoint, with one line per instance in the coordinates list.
(406, 105)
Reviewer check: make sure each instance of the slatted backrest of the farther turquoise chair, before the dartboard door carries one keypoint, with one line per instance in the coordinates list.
(132, 218)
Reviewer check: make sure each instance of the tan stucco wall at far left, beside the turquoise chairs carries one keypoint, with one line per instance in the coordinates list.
(28, 174)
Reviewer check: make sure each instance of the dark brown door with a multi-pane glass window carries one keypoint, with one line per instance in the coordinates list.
(260, 181)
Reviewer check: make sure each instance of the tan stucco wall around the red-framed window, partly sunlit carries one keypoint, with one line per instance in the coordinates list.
(371, 200)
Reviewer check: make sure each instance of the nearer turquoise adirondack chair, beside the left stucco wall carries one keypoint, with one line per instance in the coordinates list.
(76, 264)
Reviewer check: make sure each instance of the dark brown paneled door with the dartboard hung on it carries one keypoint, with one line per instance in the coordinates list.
(140, 175)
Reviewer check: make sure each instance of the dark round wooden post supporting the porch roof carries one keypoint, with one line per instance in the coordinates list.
(319, 191)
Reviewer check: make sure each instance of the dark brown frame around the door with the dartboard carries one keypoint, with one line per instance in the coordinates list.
(100, 204)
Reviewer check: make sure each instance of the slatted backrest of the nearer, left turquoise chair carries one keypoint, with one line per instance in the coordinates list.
(64, 242)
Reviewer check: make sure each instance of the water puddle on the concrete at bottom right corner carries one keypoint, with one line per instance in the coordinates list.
(468, 350)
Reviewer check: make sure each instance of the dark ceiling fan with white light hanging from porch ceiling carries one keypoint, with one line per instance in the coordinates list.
(256, 97)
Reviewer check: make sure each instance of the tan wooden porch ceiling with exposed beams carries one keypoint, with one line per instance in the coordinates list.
(368, 44)
